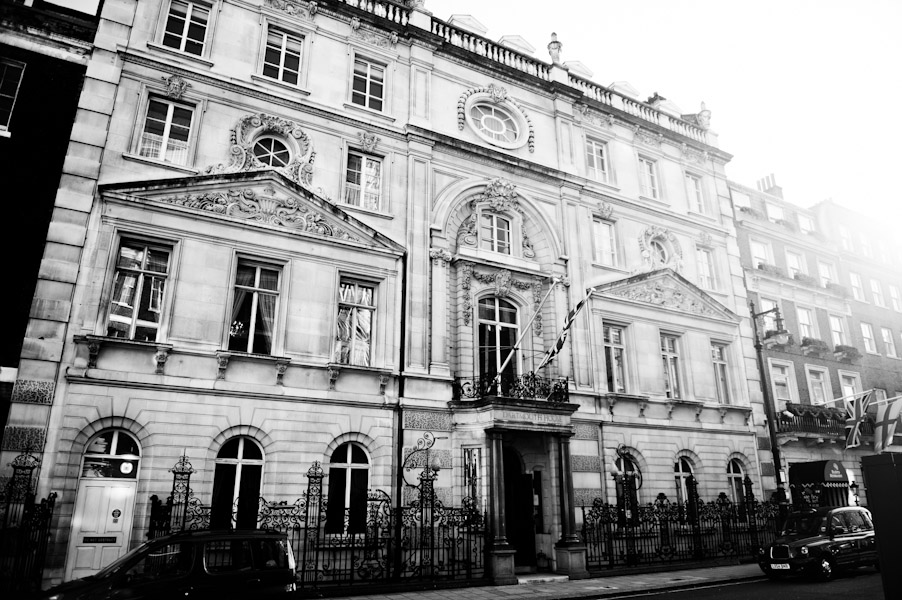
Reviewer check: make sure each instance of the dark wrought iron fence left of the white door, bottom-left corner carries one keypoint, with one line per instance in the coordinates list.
(24, 529)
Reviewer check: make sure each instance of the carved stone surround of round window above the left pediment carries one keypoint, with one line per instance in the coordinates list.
(251, 128)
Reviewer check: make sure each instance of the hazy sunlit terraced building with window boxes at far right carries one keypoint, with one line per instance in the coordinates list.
(837, 285)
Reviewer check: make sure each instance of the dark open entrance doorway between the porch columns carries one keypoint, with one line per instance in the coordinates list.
(519, 509)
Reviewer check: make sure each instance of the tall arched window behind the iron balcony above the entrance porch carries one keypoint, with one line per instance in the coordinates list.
(498, 330)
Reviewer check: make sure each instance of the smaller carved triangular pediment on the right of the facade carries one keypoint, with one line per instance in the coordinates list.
(668, 290)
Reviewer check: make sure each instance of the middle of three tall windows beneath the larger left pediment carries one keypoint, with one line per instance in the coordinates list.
(254, 305)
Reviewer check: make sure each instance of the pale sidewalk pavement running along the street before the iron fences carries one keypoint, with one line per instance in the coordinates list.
(555, 587)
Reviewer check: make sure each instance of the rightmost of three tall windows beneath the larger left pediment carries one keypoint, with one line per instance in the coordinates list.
(356, 315)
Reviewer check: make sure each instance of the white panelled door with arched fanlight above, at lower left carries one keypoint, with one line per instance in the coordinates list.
(104, 502)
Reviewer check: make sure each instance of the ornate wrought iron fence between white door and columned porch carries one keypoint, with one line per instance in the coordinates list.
(424, 541)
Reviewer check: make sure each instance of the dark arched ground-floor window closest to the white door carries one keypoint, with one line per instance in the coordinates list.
(236, 483)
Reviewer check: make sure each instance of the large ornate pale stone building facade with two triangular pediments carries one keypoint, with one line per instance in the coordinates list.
(299, 232)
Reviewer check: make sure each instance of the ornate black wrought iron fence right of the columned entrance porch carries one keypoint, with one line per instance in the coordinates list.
(665, 532)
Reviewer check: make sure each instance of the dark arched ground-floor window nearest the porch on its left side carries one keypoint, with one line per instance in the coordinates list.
(349, 476)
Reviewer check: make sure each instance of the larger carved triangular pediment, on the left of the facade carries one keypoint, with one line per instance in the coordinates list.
(264, 198)
